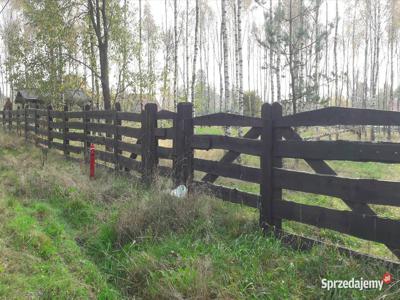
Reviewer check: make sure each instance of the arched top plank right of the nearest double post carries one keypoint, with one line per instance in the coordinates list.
(331, 116)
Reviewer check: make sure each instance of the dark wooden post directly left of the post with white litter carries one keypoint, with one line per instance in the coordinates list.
(149, 143)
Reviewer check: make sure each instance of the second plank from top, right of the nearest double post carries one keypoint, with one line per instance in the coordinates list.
(339, 150)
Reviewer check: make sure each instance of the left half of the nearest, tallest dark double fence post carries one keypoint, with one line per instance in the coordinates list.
(266, 163)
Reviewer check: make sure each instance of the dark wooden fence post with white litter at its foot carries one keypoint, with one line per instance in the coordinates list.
(183, 158)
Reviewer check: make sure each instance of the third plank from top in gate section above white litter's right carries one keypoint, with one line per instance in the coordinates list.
(228, 170)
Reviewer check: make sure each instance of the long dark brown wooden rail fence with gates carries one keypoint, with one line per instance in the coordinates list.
(272, 138)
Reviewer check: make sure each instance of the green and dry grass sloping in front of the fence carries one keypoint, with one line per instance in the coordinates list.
(63, 236)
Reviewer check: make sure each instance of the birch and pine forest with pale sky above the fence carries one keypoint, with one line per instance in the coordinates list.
(222, 55)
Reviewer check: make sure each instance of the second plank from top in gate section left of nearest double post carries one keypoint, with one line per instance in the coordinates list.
(242, 145)
